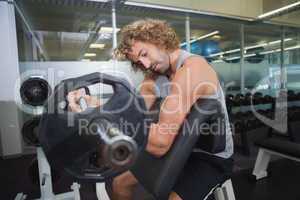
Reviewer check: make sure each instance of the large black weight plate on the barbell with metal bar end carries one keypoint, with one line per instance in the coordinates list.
(104, 131)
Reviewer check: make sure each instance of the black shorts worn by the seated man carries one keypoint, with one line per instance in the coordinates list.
(201, 174)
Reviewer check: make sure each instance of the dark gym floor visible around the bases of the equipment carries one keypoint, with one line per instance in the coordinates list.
(283, 182)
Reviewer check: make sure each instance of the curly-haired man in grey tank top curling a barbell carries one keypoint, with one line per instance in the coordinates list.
(180, 78)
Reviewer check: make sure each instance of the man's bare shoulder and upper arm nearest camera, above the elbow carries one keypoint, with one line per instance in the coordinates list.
(194, 80)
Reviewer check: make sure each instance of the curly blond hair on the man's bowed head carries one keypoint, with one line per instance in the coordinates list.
(157, 32)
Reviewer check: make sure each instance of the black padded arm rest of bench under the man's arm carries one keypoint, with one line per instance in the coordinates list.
(162, 175)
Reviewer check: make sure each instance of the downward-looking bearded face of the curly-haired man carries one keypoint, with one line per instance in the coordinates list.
(150, 57)
